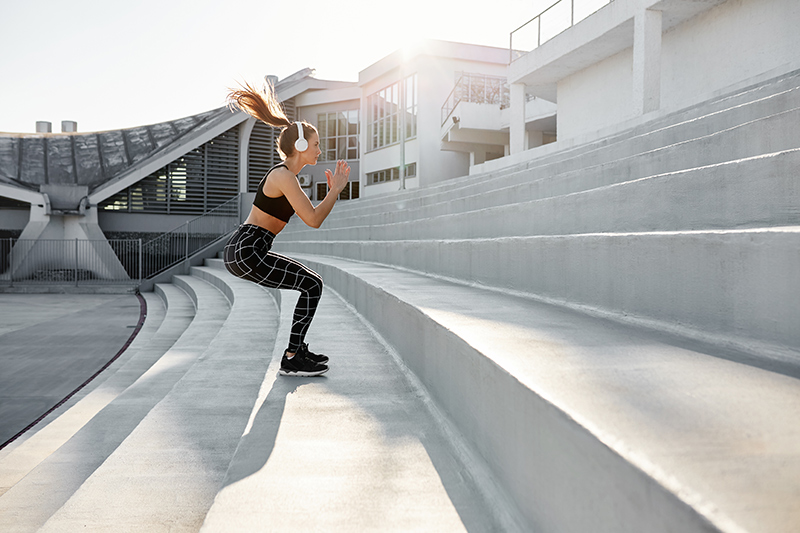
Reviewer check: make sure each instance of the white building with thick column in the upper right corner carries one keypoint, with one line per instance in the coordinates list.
(635, 59)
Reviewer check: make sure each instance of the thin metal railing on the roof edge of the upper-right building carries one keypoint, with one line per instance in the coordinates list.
(557, 18)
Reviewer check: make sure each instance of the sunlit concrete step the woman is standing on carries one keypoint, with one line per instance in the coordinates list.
(358, 449)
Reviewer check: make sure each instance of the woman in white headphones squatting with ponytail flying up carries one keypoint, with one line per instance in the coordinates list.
(279, 196)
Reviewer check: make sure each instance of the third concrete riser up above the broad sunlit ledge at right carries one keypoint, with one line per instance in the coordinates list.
(777, 132)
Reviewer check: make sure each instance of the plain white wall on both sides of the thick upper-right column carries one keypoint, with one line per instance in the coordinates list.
(726, 46)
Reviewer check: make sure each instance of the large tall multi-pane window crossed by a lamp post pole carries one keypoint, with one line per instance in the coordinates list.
(385, 109)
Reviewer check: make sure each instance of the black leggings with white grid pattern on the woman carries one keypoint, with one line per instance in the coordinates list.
(248, 256)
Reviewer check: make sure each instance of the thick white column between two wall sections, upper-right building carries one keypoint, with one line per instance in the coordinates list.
(647, 61)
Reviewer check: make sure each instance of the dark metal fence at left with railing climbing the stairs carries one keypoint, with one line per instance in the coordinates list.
(82, 262)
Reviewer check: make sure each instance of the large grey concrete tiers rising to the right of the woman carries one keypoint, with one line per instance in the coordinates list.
(611, 326)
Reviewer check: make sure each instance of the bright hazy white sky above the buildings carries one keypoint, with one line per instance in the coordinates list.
(111, 64)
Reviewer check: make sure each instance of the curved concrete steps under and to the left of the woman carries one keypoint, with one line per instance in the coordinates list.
(191, 425)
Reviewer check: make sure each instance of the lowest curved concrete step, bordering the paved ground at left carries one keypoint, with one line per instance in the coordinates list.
(60, 425)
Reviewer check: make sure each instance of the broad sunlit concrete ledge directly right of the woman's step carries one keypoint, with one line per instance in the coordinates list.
(590, 424)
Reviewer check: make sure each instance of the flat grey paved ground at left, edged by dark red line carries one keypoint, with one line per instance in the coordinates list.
(51, 343)
